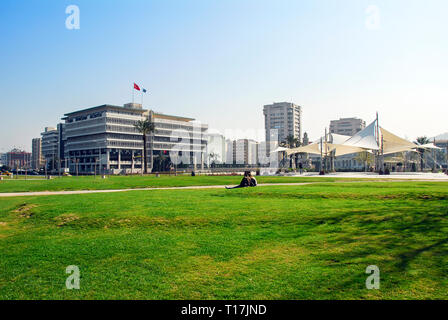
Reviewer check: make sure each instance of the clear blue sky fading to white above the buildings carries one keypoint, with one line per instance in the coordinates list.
(221, 61)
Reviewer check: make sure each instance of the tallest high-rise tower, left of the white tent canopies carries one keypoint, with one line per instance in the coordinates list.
(285, 118)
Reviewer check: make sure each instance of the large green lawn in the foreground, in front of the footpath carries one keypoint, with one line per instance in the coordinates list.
(282, 242)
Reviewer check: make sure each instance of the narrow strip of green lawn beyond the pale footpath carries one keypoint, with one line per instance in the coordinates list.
(132, 182)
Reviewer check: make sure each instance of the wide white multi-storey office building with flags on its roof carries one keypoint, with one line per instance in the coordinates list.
(104, 139)
